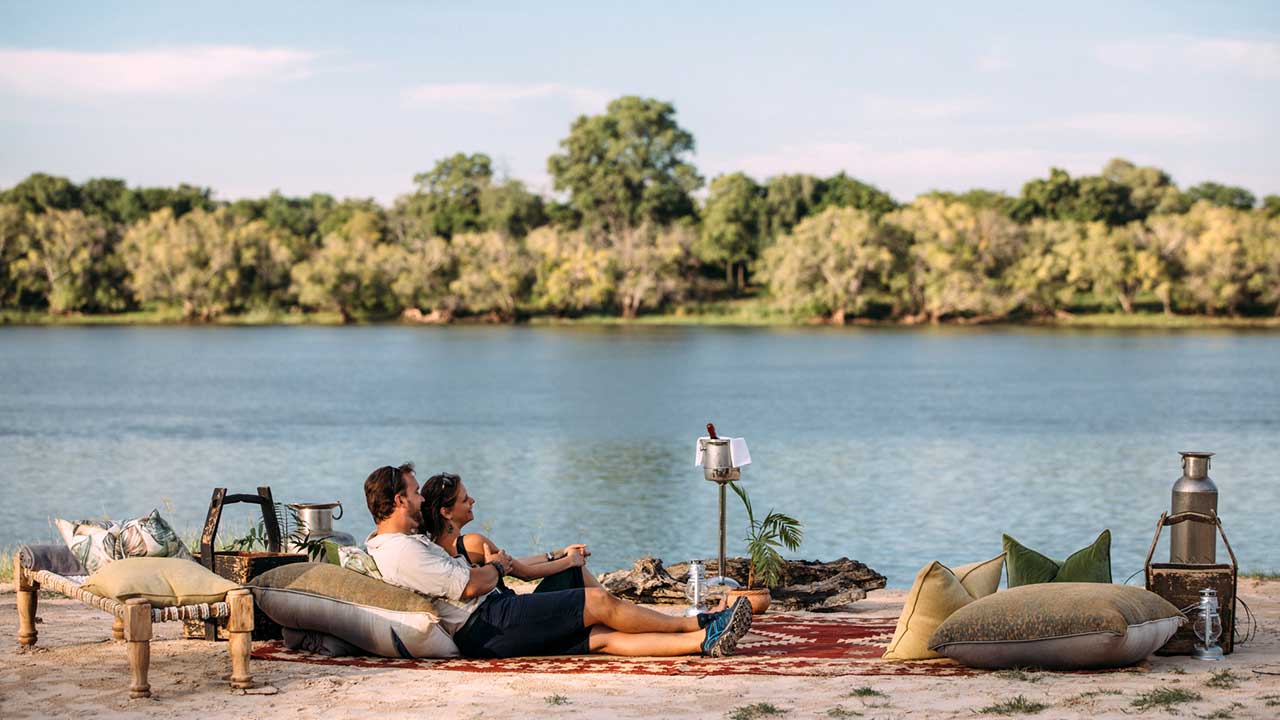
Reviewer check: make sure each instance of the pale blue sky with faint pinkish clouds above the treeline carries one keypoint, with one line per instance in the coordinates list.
(354, 99)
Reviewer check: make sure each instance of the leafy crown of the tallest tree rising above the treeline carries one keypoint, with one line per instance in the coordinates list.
(629, 166)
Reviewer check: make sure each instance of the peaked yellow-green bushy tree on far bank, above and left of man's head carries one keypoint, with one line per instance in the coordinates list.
(353, 272)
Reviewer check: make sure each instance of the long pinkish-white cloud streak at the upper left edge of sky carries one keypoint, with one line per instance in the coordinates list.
(180, 71)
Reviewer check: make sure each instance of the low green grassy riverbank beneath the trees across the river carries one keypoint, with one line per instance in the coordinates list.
(732, 313)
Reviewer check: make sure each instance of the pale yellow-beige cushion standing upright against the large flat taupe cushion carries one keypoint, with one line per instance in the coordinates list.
(936, 594)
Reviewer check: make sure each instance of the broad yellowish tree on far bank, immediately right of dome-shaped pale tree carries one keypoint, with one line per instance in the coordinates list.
(959, 258)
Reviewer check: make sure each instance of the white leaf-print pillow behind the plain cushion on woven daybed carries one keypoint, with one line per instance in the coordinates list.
(98, 543)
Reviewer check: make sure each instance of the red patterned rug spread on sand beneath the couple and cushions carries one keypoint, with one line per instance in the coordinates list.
(778, 645)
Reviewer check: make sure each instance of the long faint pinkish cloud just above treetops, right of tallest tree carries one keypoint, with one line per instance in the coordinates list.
(909, 171)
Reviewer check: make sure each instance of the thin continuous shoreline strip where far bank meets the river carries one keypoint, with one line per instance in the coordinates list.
(746, 320)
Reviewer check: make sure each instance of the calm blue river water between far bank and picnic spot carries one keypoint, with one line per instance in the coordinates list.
(893, 446)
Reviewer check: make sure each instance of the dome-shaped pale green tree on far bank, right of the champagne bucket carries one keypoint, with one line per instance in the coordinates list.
(835, 263)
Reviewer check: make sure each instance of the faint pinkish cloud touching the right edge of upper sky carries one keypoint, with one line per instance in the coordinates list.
(1182, 54)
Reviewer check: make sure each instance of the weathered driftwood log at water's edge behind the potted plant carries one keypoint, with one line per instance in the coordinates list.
(803, 585)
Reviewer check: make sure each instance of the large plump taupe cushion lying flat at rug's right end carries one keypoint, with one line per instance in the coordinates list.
(1059, 627)
